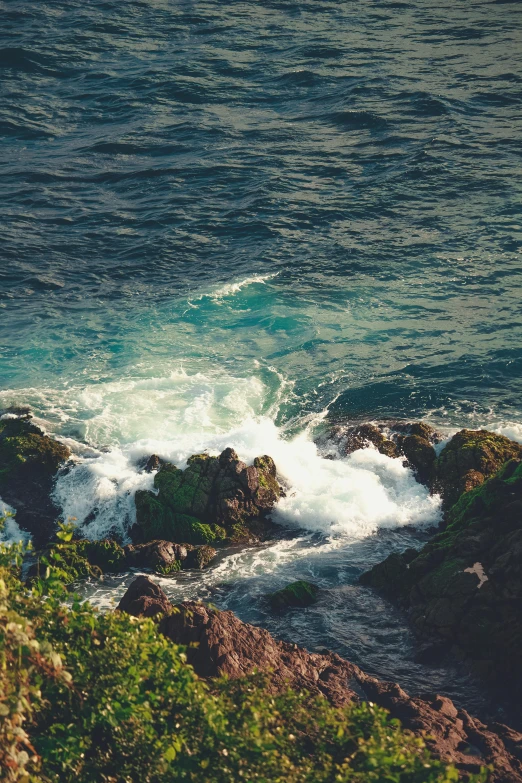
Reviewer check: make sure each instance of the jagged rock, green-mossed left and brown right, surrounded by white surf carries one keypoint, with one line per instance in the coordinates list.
(212, 499)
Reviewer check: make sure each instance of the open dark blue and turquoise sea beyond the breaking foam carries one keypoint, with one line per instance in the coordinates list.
(367, 152)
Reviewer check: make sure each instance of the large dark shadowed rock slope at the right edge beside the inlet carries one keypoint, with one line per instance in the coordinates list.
(465, 585)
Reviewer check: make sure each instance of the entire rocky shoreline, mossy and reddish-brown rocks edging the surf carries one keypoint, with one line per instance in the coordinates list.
(461, 592)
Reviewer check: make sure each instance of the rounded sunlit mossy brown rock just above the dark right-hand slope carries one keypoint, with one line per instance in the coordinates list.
(469, 459)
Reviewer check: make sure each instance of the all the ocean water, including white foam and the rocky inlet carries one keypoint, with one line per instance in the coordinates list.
(231, 224)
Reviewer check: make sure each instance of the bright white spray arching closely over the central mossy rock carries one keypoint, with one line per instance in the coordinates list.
(354, 496)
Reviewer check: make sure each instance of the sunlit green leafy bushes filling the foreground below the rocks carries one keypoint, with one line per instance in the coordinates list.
(97, 697)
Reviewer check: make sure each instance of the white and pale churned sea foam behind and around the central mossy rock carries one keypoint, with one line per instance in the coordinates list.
(179, 415)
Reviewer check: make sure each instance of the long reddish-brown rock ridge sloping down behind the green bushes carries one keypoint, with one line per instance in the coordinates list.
(218, 643)
